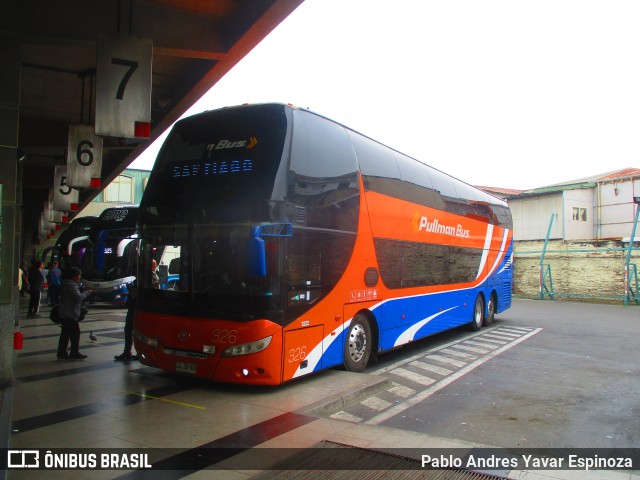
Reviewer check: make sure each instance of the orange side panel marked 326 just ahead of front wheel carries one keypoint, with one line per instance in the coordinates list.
(302, 351)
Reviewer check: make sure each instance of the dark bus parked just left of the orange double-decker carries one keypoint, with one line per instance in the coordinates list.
(109, 267)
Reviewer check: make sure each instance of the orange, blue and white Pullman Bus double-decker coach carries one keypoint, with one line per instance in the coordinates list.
(300, 244)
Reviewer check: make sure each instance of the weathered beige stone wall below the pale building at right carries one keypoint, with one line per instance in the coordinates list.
(587, 269)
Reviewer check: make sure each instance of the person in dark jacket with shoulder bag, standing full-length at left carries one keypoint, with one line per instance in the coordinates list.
(69, 311)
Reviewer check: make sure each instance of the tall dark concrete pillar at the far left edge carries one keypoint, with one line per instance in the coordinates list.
(10, 215)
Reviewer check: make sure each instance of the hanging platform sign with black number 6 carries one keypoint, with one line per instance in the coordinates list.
(84, 157)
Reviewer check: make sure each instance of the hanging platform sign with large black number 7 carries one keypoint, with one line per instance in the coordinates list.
(123, 86)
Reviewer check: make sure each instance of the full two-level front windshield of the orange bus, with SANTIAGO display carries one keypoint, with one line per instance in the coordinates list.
(213, 182)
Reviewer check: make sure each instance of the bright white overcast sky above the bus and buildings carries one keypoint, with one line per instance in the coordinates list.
(501, 93)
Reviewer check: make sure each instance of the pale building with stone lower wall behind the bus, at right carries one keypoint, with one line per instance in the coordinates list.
(588, 224)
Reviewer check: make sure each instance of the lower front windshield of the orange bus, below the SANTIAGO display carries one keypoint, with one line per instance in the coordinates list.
(210, 274)
